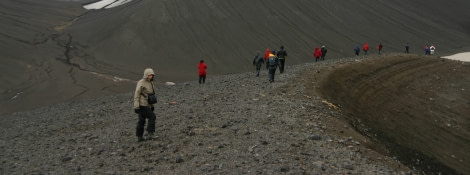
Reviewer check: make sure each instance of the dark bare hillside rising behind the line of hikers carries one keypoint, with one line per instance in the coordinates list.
(58, 51)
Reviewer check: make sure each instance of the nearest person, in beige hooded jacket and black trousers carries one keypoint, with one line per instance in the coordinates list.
(144, 106)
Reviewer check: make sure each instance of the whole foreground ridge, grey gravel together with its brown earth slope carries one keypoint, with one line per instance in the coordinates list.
(241, 124)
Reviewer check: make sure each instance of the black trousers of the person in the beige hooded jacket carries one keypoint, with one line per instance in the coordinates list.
(145, 113)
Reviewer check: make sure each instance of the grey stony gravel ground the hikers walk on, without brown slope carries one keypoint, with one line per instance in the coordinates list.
(233, 124)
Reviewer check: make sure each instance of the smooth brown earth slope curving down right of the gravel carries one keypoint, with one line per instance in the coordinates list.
(416, 107)
